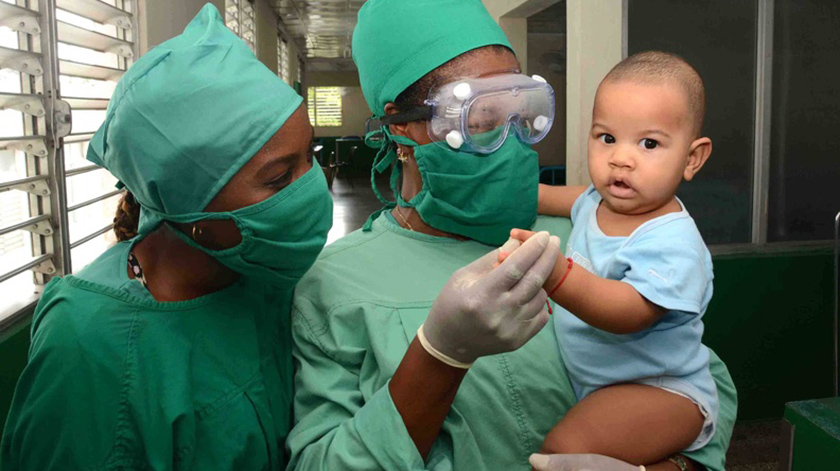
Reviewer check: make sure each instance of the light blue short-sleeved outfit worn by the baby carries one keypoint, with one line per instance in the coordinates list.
(667, 262)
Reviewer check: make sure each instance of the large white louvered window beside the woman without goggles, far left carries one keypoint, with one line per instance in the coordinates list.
(59, 64)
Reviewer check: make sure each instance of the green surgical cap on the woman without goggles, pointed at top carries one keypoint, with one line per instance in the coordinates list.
(188, 115)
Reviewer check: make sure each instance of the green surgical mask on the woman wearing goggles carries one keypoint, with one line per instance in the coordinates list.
(479, 196)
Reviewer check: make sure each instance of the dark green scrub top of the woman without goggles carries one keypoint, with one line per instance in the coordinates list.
(117, 380)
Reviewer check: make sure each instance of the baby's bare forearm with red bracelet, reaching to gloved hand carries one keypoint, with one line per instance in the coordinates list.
(609, 305)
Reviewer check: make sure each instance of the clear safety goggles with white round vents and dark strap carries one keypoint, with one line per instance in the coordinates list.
(478, 114)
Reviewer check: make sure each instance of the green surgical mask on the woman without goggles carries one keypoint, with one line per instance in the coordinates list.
(281, 236)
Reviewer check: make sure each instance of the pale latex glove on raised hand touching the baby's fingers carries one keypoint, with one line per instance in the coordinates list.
(484, 310)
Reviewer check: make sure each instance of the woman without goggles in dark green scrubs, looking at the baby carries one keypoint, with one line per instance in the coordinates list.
(173, 349)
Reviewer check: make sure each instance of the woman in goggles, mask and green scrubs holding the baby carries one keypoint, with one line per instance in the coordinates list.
(369, 393)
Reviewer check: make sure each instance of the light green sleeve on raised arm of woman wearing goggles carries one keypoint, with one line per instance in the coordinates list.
(335, 427)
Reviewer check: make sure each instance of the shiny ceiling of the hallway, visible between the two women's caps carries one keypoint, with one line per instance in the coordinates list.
(321, 28)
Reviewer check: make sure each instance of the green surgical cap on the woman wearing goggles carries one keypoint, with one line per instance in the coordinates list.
(397, 42)
